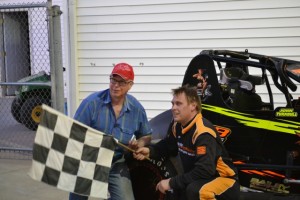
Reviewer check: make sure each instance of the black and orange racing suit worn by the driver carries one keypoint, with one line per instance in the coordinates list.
(208, 172)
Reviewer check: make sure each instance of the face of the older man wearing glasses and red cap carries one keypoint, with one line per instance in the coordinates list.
(118, 86)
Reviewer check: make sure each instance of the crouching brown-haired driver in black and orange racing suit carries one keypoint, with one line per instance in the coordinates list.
(208, 171)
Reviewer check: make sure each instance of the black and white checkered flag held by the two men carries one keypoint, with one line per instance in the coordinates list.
(71, 156)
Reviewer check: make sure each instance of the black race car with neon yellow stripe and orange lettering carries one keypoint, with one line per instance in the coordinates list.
(238, 92)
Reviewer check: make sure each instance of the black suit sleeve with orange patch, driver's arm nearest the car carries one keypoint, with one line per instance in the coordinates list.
(205, 163)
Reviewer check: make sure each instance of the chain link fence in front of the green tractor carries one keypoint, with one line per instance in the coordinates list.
(25, 80)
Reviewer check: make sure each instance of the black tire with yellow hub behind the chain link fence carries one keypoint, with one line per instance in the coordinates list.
(31, 110)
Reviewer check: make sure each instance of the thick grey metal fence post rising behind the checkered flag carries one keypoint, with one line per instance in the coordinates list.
(55, 48)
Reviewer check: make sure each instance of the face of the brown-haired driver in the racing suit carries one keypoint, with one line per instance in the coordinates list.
(182, 111)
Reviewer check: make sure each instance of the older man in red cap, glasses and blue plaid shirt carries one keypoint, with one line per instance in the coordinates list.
(117, 113)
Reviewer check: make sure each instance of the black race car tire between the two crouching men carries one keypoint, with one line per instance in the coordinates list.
(146, 174)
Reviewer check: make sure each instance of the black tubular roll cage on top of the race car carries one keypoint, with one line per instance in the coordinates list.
(282, 71)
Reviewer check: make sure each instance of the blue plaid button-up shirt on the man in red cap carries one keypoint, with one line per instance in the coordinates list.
(96, 111)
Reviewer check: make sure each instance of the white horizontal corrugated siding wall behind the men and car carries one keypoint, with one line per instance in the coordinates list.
(160, 37)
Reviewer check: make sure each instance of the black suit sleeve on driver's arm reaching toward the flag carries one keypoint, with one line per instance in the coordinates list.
(166, 147)
